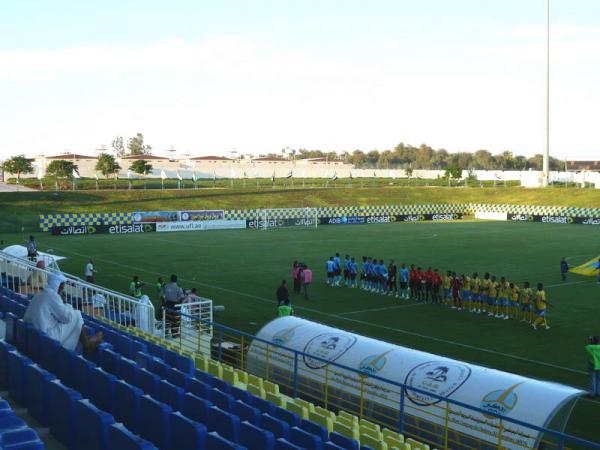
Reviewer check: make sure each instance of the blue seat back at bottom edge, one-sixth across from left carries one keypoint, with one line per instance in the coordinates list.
(91, 429)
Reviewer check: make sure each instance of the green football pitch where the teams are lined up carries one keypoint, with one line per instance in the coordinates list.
(241, 269)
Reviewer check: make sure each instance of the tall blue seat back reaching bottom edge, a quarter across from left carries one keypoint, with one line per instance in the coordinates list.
(154, 422)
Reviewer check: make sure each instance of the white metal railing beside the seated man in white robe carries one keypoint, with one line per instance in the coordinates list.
(22, 276)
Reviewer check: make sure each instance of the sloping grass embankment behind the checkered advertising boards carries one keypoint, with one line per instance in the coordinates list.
(22, 209)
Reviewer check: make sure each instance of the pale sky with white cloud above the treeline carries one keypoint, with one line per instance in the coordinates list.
(256, 76)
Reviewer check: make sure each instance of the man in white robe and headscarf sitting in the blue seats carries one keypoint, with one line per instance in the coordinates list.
(48, 313)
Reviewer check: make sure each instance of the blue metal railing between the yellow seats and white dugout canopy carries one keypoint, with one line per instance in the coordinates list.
(441, 422)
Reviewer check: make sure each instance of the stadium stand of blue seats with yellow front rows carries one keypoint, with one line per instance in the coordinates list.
(184, 401)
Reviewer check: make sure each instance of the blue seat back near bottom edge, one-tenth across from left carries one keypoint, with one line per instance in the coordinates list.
(61, 406)
